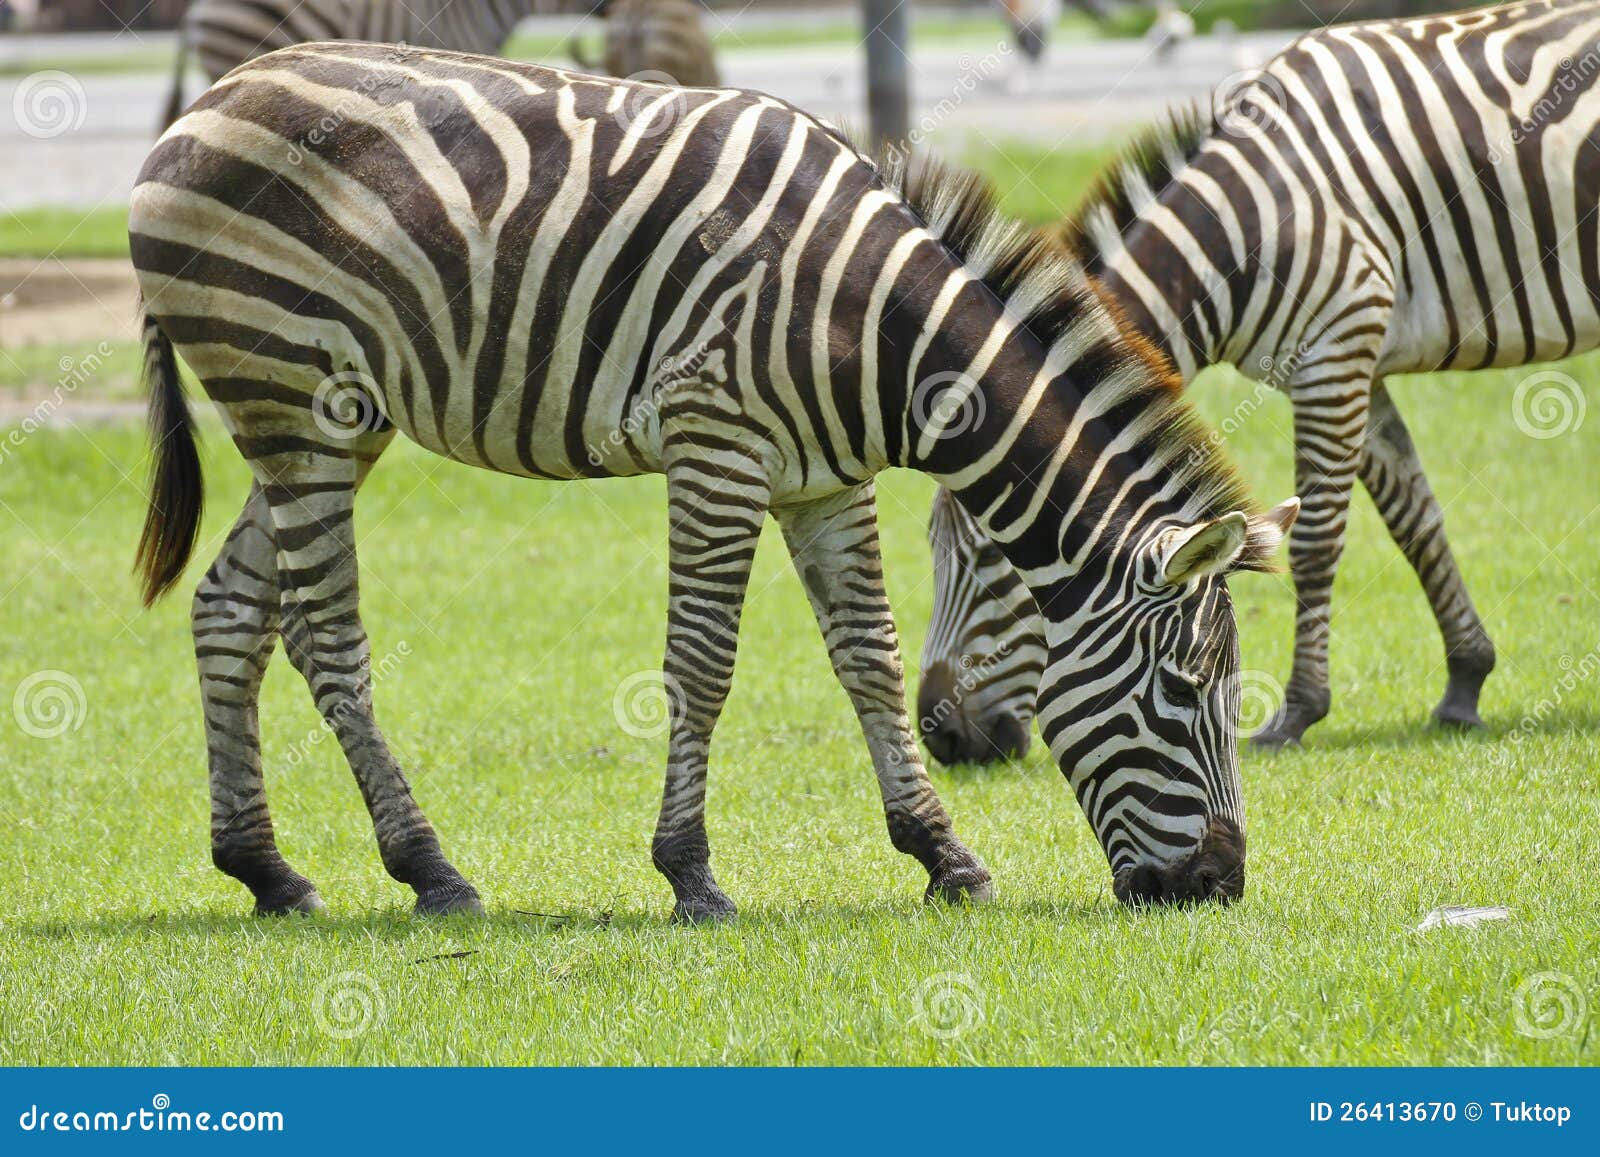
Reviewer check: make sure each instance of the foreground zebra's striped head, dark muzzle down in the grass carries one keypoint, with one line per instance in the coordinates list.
(1140, 702)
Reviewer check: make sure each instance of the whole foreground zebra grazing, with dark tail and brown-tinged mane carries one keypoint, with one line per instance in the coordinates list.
(562, 276)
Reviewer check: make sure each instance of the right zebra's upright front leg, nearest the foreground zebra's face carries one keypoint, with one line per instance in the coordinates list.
(1330, 426)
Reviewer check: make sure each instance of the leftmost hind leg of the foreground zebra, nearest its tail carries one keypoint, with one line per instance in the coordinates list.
(236, 620)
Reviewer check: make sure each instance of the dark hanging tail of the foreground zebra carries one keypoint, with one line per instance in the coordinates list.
(172, 524)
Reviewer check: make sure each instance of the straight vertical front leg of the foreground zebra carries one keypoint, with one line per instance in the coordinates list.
(716, 506)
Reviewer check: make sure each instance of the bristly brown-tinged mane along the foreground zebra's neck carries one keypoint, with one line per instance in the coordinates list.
(1058, 303)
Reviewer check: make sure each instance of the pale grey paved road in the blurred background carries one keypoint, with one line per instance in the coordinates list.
(81, 140)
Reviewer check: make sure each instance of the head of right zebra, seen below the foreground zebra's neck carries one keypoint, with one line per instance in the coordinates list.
(985, 649)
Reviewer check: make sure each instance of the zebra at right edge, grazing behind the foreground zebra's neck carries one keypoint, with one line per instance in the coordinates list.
(1388, 198)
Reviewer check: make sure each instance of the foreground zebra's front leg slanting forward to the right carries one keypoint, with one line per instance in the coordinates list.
(834, 545)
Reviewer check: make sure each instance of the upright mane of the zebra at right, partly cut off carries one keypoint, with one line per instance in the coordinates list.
(1146, 167)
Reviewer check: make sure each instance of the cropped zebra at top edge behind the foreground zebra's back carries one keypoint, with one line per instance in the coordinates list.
(225, 34)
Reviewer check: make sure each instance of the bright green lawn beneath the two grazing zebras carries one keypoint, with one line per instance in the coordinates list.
(518, 609)
